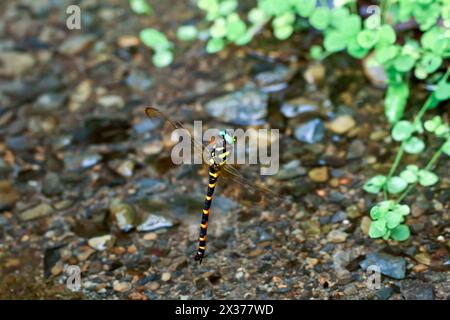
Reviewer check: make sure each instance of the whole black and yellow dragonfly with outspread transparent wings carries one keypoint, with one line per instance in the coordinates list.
(218, 150)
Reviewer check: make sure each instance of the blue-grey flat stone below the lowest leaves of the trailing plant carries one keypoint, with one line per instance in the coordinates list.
(391, 266)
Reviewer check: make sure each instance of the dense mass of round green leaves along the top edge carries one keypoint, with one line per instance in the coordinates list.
(403, 54)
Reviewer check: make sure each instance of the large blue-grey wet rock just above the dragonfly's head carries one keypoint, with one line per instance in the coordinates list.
(247, 106)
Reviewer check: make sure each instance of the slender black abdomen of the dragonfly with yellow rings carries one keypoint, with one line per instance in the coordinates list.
(213, 176)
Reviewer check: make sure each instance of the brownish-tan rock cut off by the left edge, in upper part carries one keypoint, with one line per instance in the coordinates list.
(15, 64)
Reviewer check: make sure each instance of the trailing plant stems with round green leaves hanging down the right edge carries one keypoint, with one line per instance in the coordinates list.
(388, 215)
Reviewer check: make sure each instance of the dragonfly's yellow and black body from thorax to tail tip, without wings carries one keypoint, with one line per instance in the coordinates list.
(216, 162)
